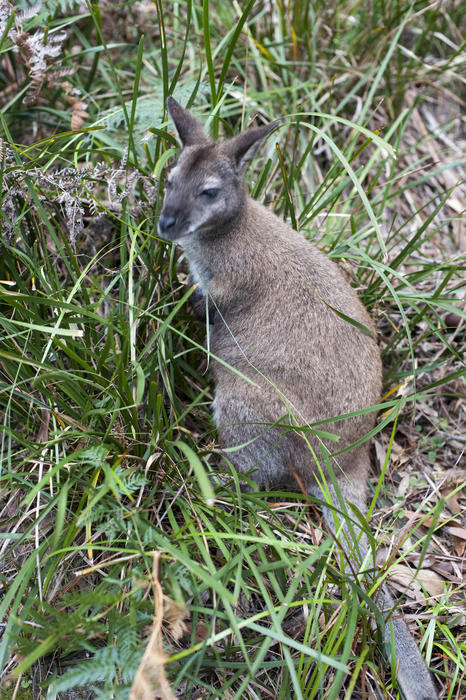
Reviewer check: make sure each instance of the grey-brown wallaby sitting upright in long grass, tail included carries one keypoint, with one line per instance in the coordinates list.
(287, 356)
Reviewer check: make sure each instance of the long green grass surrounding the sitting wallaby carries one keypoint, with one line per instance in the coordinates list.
(106, 436)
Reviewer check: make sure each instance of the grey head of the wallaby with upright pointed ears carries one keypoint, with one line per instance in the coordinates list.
(205, 189)
